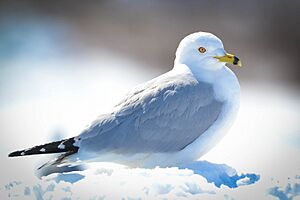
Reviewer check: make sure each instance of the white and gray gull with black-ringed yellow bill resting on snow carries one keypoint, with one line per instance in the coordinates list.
(170, 120)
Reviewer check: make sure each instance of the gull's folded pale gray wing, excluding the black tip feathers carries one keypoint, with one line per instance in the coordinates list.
(164, 115)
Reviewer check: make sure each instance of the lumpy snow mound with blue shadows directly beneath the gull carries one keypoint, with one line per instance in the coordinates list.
(111, 181)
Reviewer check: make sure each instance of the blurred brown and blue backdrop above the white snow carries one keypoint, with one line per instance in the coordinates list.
(265, 34)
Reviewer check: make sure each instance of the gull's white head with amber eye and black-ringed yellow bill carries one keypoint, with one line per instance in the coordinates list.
(204, 50)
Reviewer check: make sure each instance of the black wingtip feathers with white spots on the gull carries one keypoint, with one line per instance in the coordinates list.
(63, 146)
